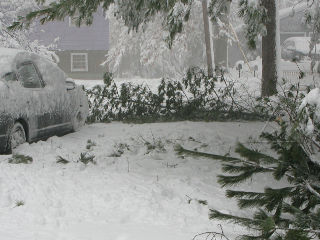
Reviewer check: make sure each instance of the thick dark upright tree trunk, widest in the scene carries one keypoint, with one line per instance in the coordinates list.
(270, 51)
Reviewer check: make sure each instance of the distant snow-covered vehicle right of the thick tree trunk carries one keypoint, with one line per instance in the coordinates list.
(298, 48)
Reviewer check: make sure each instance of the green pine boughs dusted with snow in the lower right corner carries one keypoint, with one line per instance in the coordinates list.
(290, 212)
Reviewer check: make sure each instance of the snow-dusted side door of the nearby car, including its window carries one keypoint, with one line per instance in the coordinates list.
(43, 101)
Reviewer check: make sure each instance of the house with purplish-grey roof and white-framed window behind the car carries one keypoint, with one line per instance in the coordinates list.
(81, 50)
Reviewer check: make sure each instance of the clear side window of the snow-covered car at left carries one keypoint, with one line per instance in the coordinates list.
(29, 75)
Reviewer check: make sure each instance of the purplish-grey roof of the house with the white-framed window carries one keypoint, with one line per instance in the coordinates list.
(62, 36)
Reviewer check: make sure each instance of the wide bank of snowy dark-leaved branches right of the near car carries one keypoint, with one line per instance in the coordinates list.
(195, 97)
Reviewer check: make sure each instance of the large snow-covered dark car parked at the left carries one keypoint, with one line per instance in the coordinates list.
(37, 101)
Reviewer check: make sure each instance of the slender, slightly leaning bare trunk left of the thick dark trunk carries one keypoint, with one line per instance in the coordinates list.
(207, 37)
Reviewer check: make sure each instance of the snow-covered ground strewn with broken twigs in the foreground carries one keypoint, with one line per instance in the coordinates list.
(142, 194)
